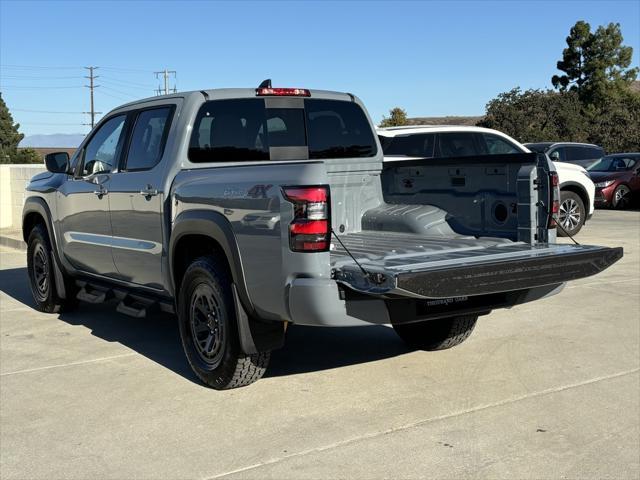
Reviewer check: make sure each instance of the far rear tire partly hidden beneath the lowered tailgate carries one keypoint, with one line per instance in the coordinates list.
(437, 334)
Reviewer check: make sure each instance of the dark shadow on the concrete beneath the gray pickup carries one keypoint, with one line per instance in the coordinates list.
(307, 349)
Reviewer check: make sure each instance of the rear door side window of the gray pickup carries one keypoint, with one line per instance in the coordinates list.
(148, 138)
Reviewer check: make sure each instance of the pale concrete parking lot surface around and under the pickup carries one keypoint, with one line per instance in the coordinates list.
(545, 390)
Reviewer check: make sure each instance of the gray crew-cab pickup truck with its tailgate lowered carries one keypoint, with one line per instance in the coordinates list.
(244, 210)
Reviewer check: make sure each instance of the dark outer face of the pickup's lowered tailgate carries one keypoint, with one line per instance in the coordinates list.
(495, 277)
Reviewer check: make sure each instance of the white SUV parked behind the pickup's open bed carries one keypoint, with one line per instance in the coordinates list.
(424, 141)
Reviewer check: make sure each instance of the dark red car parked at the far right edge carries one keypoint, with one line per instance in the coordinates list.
(617, 179)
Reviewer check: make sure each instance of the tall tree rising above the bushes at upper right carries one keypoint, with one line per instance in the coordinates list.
(595, 64)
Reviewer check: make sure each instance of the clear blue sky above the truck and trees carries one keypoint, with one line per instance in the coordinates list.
(432, 58)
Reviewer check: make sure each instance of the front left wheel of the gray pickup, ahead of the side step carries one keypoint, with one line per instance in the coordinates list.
(40, 262)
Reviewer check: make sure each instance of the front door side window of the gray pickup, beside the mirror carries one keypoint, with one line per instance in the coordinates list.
(102, 151)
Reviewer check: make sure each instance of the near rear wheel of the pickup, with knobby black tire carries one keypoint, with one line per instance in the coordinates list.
(232, 368)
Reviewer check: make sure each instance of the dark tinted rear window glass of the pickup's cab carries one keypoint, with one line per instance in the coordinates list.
(244, 130)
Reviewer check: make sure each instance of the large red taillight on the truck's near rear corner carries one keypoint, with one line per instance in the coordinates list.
(310, 230)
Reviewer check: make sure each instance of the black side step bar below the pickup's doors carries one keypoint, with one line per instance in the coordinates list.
(131, 304)
